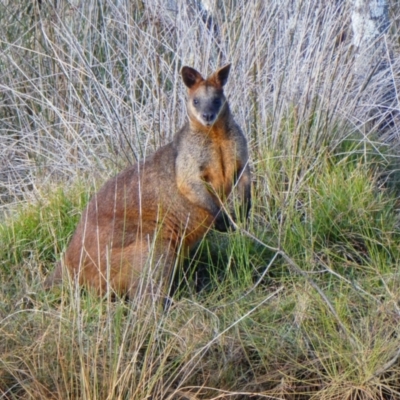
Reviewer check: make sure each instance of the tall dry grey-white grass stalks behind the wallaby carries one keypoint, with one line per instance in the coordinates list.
(97, 85)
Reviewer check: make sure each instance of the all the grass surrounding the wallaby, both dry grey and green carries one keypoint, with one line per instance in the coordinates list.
(301, 303)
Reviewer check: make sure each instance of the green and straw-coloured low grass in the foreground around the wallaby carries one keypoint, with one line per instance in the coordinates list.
(321, 319)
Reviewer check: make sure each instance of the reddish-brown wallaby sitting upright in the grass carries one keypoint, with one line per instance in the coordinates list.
(166, 202)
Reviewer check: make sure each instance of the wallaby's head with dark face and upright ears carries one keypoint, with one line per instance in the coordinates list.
(206, 102)
